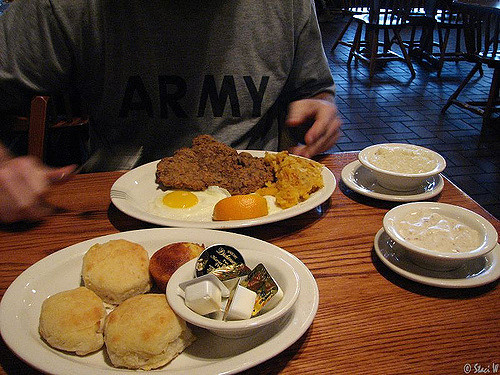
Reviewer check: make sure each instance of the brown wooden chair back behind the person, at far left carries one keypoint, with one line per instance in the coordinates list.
(43, 117)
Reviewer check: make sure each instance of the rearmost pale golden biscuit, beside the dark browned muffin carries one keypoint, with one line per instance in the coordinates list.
(116, 270)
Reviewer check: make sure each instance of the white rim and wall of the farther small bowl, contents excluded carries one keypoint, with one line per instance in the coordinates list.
(398, 181)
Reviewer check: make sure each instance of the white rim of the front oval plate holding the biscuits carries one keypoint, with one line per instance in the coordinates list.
(12, 302)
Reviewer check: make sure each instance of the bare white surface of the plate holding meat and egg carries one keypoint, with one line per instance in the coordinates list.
(133, 192)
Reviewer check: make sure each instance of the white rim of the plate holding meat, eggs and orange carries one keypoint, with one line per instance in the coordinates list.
(315, 200)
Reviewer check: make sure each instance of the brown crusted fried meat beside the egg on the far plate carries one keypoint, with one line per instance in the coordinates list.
(208, 163)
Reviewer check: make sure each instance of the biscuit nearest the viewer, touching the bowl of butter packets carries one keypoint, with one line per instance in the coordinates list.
(144, 333)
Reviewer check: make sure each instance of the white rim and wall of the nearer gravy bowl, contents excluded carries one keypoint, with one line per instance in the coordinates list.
(432, 258)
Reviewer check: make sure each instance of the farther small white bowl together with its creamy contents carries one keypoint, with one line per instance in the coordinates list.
(401, 166)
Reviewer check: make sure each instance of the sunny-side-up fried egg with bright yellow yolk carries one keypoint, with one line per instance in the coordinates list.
(188, 205)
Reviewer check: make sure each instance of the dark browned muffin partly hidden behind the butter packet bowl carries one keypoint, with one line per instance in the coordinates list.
(165, 261)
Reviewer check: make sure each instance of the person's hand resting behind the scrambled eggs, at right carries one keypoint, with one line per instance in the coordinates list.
(324, 131)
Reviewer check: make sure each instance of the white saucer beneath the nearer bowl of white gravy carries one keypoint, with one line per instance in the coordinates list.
(492, 274)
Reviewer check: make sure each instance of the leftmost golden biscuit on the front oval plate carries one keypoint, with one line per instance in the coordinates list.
(73, 320)
